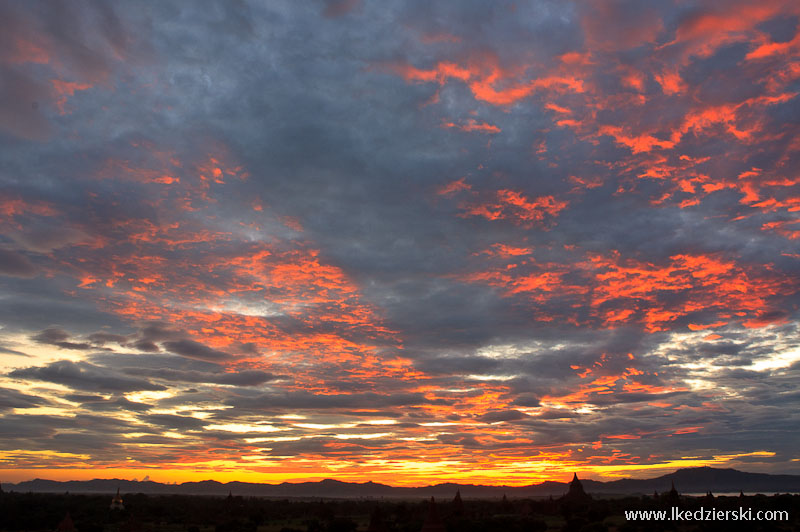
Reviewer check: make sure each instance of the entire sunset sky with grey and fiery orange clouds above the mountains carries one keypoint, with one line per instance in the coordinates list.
(406, 242)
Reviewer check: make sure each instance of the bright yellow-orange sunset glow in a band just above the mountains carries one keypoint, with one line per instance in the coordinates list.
(426, 470)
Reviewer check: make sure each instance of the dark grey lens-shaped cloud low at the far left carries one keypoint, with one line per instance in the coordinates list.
(84, 376)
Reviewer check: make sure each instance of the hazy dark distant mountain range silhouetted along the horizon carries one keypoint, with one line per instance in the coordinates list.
(692, 480)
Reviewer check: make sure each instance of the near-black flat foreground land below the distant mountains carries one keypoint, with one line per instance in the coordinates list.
(36, 512)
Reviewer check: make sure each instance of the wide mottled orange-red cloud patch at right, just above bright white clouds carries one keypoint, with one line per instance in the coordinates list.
(627, 291)
